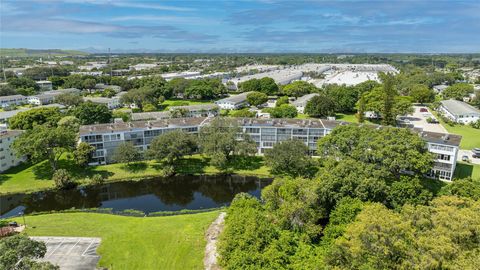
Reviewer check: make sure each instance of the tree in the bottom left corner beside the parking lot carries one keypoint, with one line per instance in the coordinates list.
(21, 252)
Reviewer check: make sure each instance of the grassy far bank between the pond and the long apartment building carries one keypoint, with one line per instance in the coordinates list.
(29, 178)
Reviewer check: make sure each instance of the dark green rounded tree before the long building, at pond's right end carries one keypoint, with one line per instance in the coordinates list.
(291, 158)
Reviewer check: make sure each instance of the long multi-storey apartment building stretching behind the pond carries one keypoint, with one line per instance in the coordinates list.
(265, 132)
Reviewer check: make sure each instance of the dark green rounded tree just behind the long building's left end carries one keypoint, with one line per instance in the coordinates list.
(92, 113)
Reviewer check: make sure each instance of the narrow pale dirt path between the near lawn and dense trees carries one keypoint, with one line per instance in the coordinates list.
(210, 260)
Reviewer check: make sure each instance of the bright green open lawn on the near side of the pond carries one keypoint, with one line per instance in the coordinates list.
(174, 242)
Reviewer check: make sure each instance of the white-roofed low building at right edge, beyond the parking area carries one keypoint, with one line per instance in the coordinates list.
(459, 112)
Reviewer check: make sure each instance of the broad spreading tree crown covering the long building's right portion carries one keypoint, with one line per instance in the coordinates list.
(394, 149)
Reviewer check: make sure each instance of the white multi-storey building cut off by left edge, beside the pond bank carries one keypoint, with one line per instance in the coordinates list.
(8, 157)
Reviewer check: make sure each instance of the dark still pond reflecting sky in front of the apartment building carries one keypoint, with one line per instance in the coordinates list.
(152, 195)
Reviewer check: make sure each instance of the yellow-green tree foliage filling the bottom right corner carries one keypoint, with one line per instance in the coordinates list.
(442, 235)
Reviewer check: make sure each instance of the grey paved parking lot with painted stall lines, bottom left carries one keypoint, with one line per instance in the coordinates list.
(72, 253)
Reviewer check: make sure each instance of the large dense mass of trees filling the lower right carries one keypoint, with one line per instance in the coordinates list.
(356, 212)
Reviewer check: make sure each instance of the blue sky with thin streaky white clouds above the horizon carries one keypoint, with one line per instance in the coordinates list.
(243, 26)
